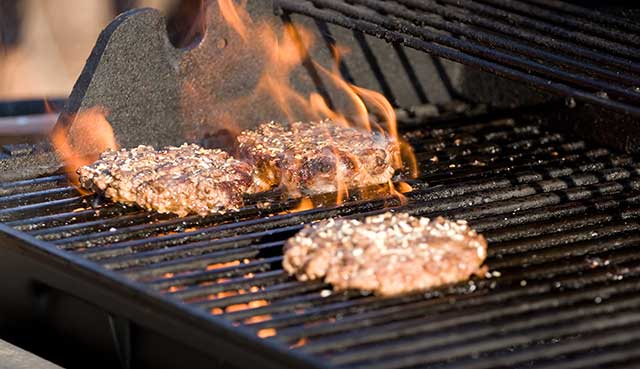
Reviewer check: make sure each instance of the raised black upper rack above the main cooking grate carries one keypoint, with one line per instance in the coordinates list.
(580, 54)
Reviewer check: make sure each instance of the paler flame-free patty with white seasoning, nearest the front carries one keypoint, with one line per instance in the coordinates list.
(388, 254)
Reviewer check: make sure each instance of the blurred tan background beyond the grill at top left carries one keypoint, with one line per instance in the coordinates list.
(44, 43)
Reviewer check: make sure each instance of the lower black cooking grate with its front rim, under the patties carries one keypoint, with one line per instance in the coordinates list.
(562, 219)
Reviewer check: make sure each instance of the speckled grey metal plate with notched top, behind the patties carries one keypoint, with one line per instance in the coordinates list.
(156, 94)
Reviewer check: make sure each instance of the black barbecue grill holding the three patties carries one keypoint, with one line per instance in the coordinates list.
(550, 178)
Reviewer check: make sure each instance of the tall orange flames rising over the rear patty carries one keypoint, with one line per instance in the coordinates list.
(360, 107)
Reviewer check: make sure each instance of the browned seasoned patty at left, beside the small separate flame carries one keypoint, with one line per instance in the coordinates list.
(181, 180)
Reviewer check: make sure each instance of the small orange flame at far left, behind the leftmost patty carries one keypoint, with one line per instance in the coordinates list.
(79, 139)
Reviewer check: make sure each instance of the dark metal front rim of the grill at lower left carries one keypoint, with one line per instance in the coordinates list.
(124, 298)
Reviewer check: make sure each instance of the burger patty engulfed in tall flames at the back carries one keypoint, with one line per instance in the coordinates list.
(311, 157)
